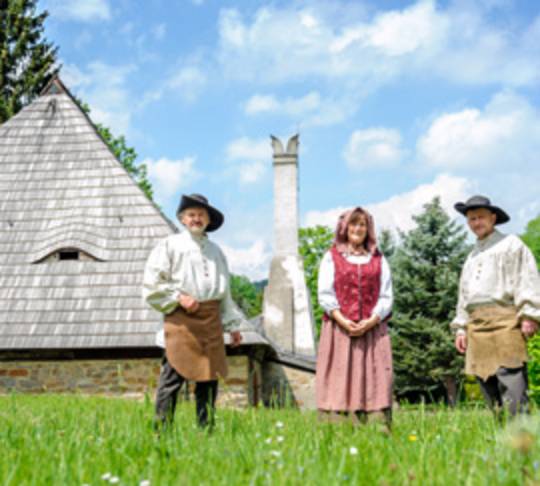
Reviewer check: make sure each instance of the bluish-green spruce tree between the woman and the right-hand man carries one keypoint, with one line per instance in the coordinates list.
(425, 270)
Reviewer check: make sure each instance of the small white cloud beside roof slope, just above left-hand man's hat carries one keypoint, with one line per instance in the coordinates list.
(169, 176)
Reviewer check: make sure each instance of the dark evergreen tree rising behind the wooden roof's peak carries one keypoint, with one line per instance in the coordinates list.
(27, 60)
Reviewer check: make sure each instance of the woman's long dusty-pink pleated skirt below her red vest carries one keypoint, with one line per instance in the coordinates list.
(354, 374)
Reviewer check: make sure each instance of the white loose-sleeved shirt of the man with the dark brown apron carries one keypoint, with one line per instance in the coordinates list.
(188, 264)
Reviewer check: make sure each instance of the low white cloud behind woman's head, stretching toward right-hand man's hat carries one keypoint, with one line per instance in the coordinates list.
(397, 211)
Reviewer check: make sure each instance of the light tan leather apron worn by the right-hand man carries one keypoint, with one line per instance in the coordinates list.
(494, 340)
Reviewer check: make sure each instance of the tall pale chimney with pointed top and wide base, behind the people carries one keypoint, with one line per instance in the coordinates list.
(287, 316)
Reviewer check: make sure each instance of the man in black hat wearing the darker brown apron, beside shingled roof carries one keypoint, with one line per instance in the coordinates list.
(187, 279)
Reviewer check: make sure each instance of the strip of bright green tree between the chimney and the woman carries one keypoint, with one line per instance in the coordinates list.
(313, 243)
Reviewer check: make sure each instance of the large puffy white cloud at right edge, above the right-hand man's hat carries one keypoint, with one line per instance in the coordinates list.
(505, 134)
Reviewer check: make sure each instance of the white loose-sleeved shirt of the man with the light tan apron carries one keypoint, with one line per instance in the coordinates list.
(499, 270)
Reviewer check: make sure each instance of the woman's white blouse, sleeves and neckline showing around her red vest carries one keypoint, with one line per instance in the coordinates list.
(327, 294)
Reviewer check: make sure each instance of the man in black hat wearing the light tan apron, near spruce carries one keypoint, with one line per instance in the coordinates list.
(498, 307)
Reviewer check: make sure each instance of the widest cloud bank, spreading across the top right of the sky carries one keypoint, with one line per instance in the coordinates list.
(458, 43)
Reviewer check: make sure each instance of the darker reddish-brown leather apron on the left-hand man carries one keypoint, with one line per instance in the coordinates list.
(194, 342)
